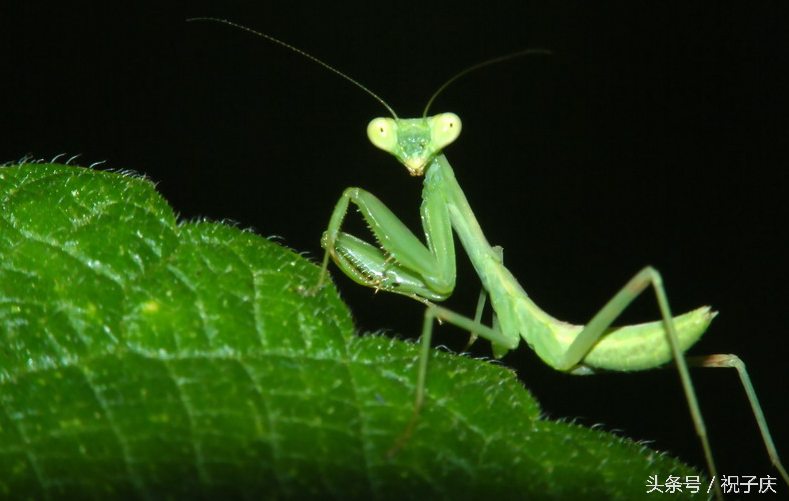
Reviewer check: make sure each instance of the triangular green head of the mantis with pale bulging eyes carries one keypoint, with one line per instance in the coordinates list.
(414, 141)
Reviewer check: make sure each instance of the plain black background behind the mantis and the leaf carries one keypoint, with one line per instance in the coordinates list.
(656, 134)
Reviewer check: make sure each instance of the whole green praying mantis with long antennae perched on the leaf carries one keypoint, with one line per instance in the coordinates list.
(401, 263)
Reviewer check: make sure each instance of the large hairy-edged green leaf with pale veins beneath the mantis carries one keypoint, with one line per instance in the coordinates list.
(141, 358)
